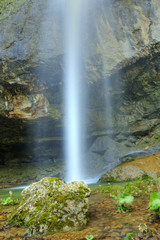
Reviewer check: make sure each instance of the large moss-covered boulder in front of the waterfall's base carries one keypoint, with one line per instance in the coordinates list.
(51, 205)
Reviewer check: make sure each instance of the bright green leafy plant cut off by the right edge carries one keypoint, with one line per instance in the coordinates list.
(154, 203)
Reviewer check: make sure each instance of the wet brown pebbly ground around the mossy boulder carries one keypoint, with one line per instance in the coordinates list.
(104, 221)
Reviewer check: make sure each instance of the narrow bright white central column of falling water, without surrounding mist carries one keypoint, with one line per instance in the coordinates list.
(73, 89)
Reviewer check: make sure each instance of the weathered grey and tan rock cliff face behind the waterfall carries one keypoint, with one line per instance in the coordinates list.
(122, 42)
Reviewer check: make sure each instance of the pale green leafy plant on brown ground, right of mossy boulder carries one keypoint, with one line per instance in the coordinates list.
(124, 201)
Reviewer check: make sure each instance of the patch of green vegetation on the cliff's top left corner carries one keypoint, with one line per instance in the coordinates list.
(7, 7)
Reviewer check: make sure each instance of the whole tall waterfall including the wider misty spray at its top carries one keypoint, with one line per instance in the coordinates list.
(73, 19)
